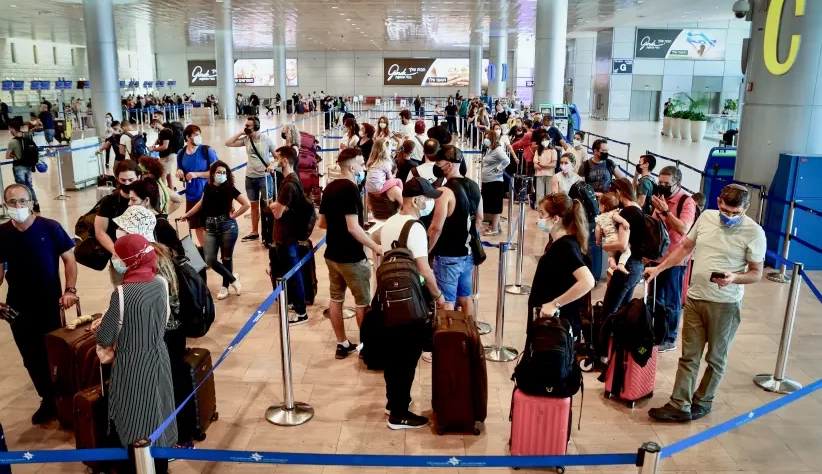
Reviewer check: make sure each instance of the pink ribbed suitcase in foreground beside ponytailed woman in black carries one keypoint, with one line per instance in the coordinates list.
(540, 426)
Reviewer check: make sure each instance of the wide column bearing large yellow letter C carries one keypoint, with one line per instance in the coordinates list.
(783, 104)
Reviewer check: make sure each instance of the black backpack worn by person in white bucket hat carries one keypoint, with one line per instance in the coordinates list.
(196, 304)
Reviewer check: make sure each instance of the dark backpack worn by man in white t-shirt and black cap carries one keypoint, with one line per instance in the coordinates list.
(398, 284)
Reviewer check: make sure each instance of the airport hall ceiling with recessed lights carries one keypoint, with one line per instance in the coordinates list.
(337, 24)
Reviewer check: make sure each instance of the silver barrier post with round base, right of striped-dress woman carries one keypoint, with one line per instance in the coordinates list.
(289, 412)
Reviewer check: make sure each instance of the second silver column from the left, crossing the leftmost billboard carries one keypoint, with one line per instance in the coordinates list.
(224, 51)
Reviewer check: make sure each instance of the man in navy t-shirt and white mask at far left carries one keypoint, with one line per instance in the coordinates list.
(31, 248)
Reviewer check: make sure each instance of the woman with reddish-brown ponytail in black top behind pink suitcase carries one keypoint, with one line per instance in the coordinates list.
(563, 275)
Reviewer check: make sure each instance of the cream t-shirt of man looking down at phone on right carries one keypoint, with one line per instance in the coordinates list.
(723, 249)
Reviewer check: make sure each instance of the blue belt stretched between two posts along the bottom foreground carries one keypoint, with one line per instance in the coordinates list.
(378, 460)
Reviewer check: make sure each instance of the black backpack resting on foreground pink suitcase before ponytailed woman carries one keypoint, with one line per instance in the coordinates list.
(548, 366)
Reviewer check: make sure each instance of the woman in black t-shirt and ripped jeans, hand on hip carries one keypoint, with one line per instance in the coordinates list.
(217, 206)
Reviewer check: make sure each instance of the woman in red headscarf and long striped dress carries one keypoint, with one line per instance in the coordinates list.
(140, 396)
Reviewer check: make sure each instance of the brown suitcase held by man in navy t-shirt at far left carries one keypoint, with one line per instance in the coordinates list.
(74, 364)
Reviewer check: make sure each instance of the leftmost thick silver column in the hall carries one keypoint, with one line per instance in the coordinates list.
(101, 55)
